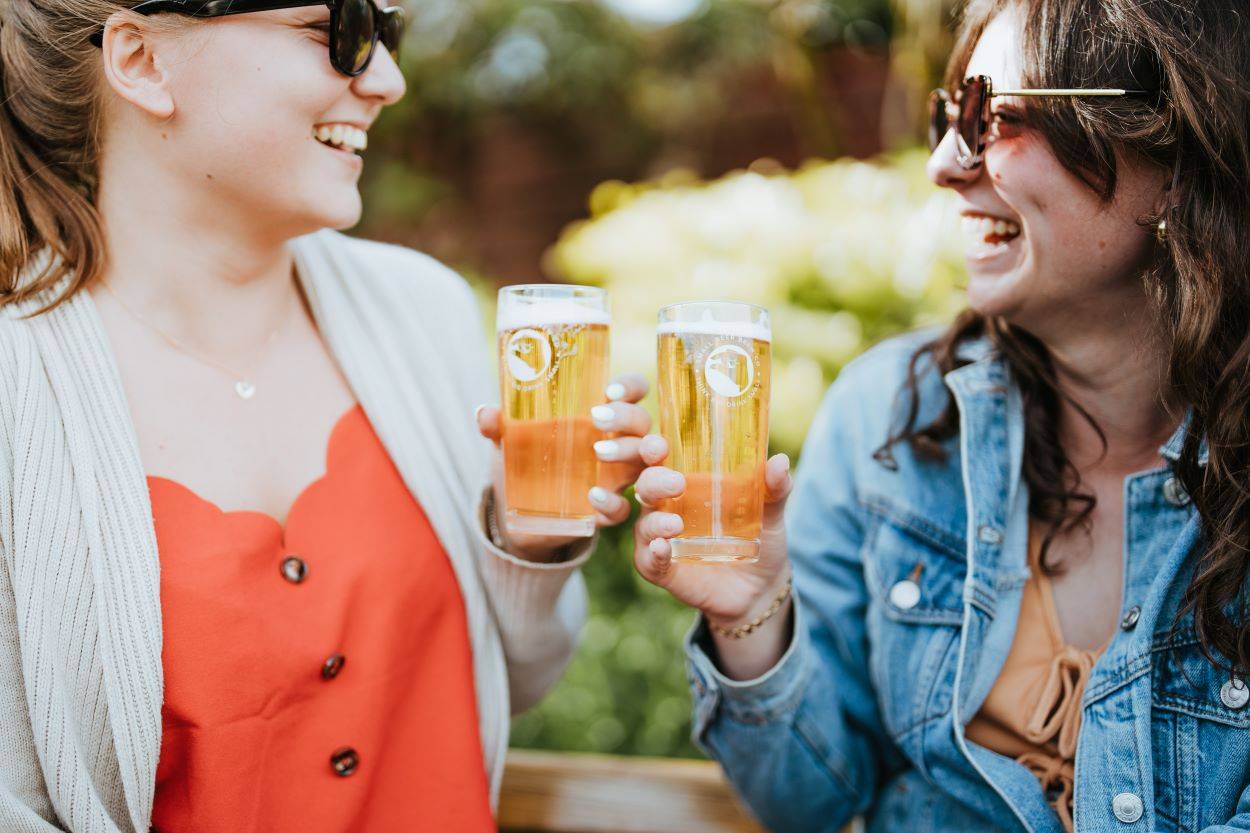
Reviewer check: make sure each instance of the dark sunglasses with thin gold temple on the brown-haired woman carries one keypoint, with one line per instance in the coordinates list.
(969, 114)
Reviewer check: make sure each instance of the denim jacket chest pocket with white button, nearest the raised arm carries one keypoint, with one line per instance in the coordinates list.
(916, 580)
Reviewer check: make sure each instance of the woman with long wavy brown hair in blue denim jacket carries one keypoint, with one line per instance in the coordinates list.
(1019, 546)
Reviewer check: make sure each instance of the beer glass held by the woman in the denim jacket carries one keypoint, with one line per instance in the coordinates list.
(714, 412)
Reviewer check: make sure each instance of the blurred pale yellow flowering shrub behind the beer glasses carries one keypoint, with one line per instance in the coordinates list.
(842, 253)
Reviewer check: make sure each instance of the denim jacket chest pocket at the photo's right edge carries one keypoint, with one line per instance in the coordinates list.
(1201, 715)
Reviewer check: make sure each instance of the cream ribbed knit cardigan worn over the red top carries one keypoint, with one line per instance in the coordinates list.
(81, 620)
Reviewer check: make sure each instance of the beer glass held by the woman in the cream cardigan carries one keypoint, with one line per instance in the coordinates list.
(553, 370)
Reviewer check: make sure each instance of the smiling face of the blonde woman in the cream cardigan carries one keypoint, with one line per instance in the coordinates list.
(263, 123)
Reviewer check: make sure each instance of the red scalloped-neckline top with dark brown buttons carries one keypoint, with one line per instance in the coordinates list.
(318, 677)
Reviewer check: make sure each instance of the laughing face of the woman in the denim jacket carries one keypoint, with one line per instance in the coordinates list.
(1043, 250)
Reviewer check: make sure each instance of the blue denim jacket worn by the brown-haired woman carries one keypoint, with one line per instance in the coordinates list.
(866, 712)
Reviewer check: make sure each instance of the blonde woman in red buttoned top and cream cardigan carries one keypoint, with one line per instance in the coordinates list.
(251, 571)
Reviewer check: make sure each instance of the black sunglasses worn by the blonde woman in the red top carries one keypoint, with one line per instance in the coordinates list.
(356, 26)
